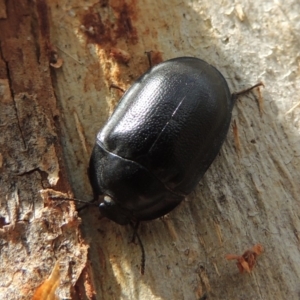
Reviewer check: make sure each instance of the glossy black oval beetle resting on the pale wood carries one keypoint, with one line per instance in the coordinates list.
(162, 137)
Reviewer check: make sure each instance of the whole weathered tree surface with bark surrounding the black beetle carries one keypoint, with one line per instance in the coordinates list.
(58, 61)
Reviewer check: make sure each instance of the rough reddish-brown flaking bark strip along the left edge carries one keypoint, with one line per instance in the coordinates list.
(34, 232)
